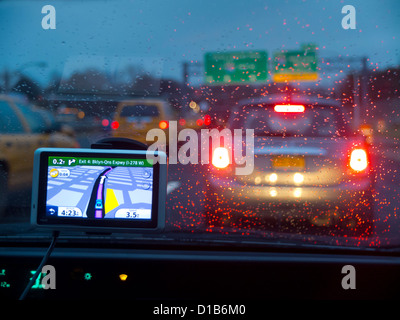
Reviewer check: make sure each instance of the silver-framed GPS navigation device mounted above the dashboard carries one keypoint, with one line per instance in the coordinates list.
(99, 189)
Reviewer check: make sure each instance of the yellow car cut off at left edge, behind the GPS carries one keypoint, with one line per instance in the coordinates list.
(23, 129)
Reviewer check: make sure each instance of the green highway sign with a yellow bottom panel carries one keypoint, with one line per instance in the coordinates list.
(295, 66)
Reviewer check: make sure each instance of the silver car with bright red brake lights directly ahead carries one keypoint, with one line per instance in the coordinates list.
(309, 165)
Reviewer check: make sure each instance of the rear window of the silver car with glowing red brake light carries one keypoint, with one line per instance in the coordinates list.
(286, 120)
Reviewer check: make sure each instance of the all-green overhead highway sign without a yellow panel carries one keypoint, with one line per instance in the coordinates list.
(239, 67)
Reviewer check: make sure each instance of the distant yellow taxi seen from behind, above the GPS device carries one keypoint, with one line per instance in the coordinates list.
(134, 118)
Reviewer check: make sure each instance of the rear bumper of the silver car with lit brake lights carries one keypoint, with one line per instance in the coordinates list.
(225, 193)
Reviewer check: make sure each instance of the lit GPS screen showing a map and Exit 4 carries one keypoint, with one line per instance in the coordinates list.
(99, 188)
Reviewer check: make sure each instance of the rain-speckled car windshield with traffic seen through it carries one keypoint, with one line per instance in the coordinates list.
(295, 105)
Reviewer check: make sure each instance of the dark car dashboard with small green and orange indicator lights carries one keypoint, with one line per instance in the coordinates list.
(183, 272)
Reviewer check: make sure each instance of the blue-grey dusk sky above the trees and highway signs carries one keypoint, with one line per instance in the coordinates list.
(162, 34)
